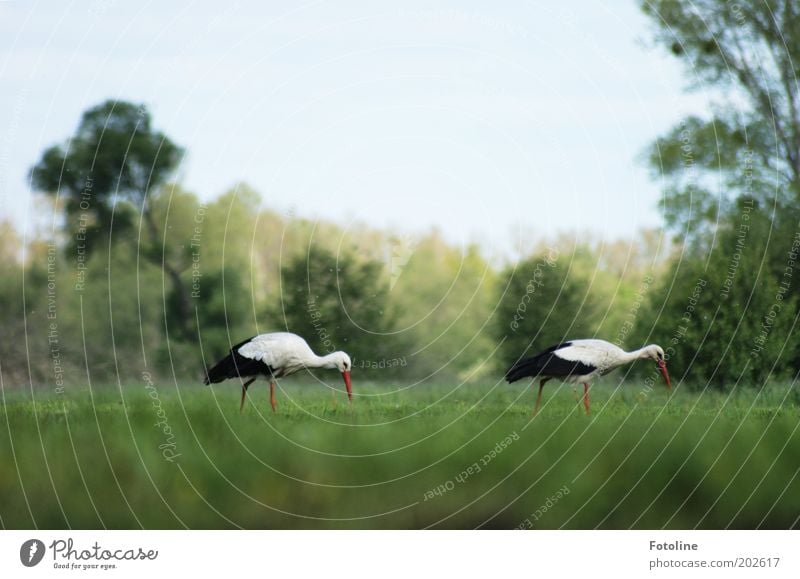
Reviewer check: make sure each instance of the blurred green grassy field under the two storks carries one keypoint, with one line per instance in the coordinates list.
(162, 456)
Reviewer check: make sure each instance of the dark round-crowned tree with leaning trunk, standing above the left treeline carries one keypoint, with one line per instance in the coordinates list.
(107, 174)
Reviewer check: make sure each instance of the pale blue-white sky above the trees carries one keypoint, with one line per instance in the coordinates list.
(495, 123)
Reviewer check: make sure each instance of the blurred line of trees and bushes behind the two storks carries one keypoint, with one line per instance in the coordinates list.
(139, 275)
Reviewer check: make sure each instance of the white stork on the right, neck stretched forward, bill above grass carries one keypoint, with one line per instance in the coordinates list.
(580, 361)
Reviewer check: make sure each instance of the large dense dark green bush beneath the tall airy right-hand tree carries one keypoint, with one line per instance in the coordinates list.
(723, 318)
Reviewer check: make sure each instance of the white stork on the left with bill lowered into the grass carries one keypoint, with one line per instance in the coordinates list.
(273, 356)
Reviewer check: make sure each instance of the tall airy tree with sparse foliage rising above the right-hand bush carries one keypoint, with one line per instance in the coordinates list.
(750, 146)
